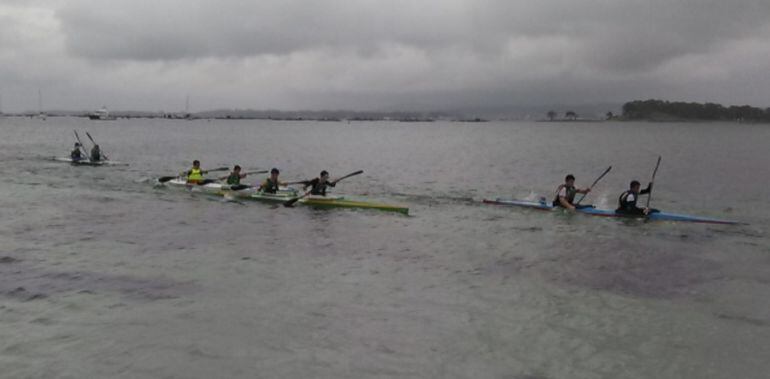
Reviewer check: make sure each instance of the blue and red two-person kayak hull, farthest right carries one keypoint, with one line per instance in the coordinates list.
(591, 210)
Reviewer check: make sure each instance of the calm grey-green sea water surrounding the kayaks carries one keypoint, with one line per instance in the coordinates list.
(104, 275)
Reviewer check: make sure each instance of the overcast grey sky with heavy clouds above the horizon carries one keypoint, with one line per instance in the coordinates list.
(379, 54)
